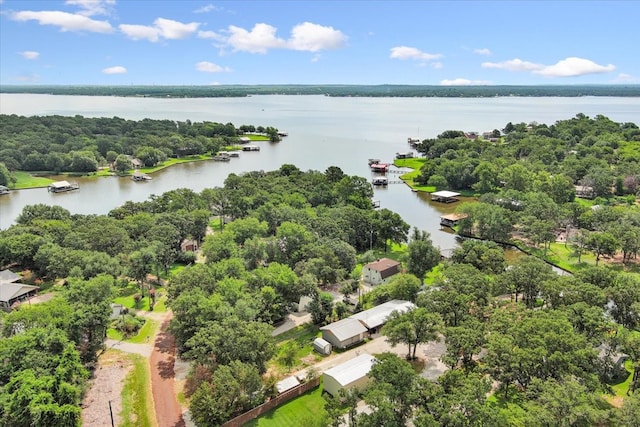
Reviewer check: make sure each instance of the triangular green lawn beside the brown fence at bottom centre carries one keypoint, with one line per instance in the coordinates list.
(294, 413)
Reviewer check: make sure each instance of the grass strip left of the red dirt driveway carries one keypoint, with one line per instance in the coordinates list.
(137, 403)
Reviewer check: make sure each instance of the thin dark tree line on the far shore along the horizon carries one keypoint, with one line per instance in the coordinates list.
(332, 90)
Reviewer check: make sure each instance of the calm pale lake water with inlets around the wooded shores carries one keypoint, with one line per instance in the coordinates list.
(323, 131)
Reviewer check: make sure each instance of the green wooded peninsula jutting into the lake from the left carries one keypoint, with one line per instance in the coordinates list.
(80, 144)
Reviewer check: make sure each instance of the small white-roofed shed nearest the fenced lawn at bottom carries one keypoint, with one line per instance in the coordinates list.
(349, 375)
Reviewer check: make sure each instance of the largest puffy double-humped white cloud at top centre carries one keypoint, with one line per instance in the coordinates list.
(306, 37)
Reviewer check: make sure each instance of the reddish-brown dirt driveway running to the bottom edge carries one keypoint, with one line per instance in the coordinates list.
(168, 411)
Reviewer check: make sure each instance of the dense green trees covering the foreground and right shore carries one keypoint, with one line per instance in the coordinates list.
(524, 346)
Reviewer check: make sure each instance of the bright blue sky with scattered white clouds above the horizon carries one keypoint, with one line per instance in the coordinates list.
(145, 42)
